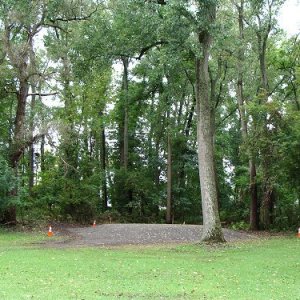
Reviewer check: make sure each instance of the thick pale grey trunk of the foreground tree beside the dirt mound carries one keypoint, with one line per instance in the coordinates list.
(212, 230)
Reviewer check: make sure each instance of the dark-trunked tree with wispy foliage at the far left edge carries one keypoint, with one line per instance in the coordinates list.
(22, 22)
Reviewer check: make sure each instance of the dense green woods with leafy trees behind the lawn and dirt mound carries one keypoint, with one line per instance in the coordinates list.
(100, 102)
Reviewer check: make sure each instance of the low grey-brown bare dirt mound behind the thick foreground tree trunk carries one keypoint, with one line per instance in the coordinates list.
(135, 234)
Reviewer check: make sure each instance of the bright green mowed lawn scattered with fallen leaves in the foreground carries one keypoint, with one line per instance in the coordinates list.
(260, 269)
